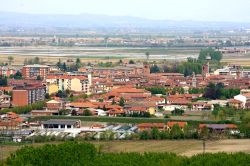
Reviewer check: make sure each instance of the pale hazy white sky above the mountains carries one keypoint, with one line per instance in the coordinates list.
(207, 10)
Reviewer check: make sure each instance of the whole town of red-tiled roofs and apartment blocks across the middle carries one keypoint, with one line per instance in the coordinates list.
(128, 90)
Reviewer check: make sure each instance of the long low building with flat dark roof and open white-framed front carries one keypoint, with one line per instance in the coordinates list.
(60, 124)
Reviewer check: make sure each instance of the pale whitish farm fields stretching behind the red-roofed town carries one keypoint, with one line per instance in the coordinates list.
(51, 54)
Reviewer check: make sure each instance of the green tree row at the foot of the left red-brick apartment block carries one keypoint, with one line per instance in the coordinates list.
(25, 109)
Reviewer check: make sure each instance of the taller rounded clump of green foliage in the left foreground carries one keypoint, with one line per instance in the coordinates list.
(63, 154)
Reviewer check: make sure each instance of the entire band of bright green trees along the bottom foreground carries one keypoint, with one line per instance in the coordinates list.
(85, 154)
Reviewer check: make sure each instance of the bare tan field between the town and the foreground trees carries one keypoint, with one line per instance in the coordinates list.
(182, 147)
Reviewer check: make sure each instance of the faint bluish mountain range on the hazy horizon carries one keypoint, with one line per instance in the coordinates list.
(9, 19)
